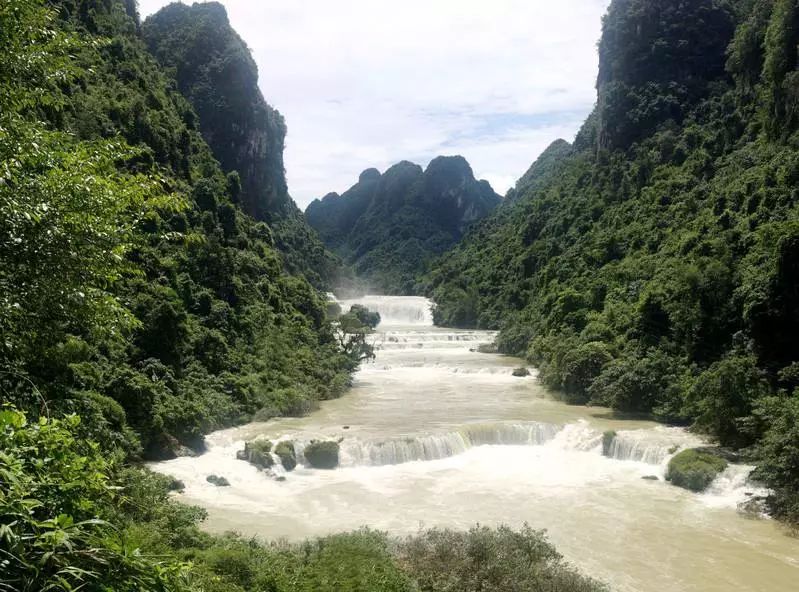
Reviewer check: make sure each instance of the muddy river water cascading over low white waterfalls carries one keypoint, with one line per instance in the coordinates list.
(434, 433)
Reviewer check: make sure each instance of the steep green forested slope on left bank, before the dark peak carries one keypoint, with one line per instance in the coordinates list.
(138, 293)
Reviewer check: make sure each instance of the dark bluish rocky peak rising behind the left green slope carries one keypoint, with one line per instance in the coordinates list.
(216, 73)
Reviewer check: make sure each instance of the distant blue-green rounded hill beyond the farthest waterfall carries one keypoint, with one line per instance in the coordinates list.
(388, 227)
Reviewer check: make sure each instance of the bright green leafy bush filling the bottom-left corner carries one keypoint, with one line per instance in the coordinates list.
(56, 505)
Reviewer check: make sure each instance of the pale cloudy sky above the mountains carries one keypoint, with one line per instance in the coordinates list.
(370, 83)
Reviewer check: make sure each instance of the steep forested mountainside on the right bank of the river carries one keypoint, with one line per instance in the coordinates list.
(653, 266)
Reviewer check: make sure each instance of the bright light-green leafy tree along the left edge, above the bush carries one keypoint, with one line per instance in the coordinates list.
(68, 212)
